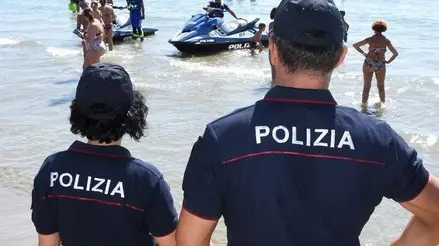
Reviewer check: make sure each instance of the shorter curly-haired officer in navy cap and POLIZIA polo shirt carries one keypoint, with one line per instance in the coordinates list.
(96, 193)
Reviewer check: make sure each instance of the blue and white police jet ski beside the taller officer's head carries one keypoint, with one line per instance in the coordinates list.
(208, 32)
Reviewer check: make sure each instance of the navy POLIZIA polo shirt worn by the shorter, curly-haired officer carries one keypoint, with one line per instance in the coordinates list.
(101, 195)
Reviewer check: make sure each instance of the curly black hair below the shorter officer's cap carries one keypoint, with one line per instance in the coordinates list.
(133, 123)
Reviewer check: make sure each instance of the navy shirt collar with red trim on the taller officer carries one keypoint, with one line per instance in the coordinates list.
(295, 95)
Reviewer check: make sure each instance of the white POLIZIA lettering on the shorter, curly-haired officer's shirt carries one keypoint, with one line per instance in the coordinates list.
(87, 183)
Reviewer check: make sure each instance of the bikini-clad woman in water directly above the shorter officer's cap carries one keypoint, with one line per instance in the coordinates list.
(93, 40)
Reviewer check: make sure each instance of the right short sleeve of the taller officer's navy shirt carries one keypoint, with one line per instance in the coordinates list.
(407, 173)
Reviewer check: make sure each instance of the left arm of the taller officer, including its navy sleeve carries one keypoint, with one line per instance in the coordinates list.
(202, 203)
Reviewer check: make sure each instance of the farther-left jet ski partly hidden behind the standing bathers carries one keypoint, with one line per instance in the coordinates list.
(122, 28)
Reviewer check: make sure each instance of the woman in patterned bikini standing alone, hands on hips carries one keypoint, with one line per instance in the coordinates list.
(375, 61)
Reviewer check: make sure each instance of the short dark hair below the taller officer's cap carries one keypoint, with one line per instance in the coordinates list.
(298, 57)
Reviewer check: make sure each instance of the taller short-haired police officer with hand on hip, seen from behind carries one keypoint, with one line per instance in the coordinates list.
(295, 168)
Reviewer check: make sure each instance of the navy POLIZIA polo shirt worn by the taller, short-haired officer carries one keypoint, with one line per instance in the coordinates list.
(296, 169)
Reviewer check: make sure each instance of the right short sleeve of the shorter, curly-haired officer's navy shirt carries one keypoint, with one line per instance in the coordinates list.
(161, 216)
